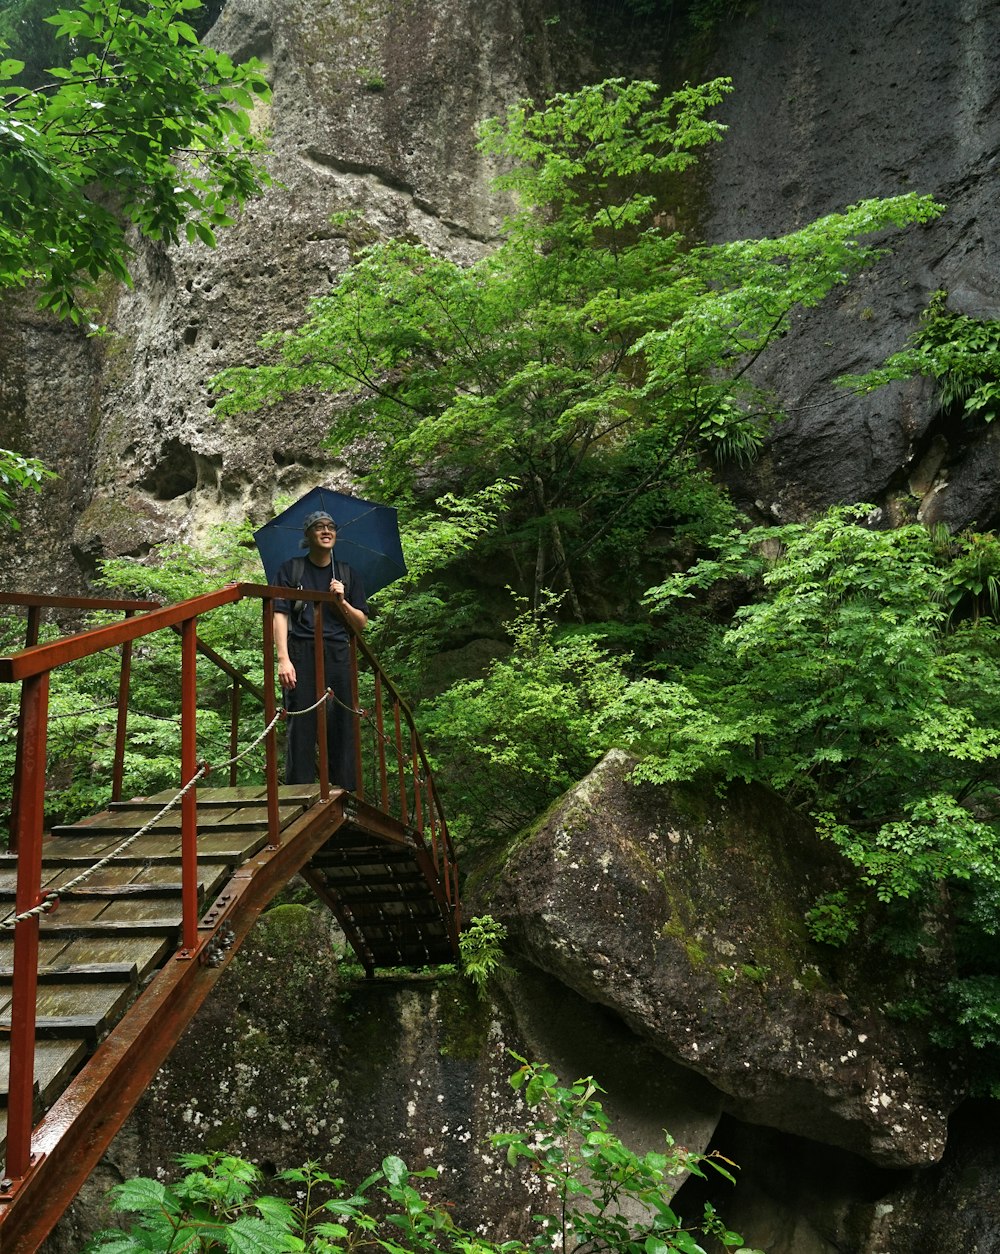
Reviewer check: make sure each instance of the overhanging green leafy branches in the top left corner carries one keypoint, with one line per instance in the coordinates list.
(142, 127)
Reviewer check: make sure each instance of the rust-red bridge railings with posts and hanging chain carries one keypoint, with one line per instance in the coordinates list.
(400, 777)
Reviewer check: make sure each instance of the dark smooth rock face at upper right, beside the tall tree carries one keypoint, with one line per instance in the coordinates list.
(832, 106)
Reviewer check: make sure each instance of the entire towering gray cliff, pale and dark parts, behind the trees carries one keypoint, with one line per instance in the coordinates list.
(373, 112)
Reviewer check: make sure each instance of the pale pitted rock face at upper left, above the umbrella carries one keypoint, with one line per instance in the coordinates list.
(373, 113)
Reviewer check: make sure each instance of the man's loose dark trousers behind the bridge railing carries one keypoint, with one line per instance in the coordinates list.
(301, 766)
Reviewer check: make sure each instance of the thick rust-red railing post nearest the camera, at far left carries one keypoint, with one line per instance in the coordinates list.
(31, 822)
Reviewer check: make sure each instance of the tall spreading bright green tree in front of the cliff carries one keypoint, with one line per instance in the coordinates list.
(594, 356)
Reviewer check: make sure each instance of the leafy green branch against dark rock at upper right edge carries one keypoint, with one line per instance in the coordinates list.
(960, 353)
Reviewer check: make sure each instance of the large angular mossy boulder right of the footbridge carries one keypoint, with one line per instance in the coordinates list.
(686, 917)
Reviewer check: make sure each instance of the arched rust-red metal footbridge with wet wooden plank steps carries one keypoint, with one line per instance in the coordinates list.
(117, 926)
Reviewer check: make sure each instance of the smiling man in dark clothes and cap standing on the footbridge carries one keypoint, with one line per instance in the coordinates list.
(318, 572)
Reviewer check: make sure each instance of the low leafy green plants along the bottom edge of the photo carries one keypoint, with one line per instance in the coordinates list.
(609, 1198)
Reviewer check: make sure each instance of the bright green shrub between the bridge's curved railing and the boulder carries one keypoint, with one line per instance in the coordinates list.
(508, 746)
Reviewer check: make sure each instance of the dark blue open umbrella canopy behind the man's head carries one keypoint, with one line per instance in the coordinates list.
(367, 537)
